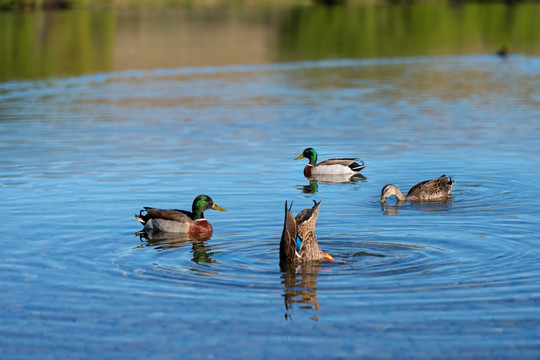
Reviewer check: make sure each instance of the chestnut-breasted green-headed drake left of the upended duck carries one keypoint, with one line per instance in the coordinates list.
(180, 221)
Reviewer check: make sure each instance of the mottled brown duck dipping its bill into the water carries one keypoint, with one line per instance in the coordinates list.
(435, 189)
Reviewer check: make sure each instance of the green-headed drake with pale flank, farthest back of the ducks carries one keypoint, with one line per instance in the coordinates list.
(330, 166)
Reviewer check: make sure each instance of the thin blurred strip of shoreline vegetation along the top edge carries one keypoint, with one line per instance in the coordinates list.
(100, 4)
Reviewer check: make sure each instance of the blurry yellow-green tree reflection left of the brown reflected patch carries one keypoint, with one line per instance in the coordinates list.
(42, 44)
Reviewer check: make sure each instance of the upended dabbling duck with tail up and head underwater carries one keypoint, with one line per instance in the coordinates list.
(298, 241)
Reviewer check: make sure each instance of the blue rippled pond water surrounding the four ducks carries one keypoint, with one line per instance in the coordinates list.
(82, 154)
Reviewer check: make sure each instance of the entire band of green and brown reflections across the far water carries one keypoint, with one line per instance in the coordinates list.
(74, 42)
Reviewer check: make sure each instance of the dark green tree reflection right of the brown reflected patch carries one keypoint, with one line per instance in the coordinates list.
(397, 30)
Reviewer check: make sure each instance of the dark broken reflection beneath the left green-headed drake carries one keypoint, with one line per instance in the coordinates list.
(165, 241)
